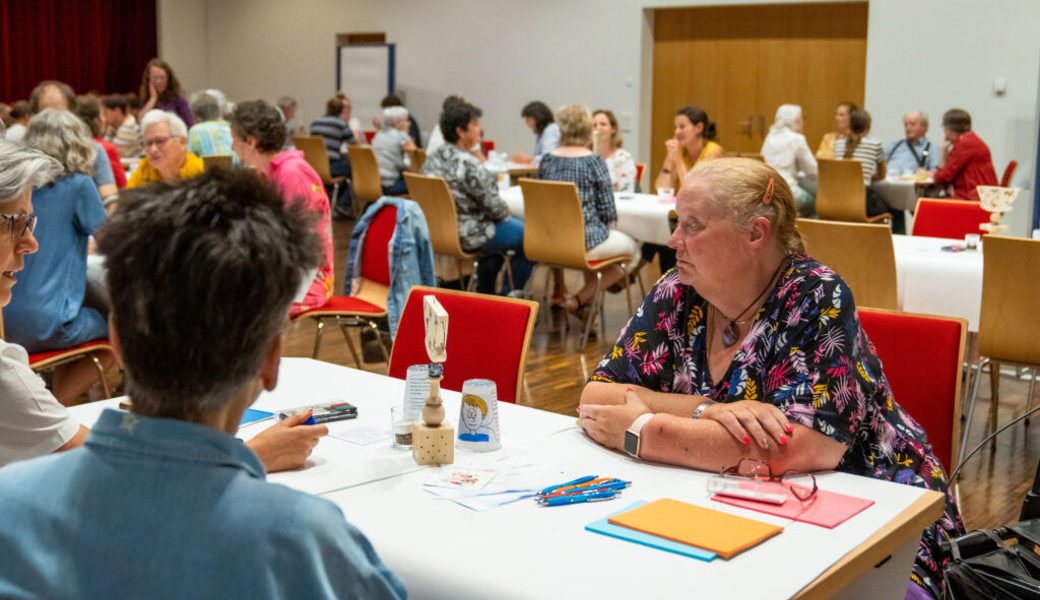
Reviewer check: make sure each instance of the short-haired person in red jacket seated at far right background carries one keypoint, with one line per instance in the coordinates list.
(966, 162)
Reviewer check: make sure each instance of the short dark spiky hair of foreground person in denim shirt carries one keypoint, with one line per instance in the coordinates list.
(202, 276)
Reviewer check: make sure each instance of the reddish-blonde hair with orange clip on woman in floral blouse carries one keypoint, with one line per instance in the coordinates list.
(740, 187)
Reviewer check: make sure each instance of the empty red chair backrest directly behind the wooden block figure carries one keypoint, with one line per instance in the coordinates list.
(488, 338)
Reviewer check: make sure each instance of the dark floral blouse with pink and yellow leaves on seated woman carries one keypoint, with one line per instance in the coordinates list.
(808, 355)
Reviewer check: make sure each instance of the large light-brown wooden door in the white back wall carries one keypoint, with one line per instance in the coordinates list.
(741, 63)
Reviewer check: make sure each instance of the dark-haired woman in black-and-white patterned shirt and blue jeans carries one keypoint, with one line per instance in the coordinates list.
(485, 224)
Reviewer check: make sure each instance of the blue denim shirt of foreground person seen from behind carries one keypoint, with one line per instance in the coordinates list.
(166, 509)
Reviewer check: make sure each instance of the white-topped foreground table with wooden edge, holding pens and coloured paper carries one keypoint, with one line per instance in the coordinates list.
(441, 550)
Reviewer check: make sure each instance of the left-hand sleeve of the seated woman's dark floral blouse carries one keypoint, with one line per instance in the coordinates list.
(644, 354)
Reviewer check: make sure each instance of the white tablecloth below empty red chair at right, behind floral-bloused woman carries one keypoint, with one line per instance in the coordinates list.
(935, 282)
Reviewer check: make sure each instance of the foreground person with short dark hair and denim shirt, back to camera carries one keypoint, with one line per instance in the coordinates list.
(168, 484)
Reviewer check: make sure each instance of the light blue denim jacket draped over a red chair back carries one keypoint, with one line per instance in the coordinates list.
(411, 256)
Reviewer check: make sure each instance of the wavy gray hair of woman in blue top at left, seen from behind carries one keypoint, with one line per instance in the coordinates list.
(61, 135)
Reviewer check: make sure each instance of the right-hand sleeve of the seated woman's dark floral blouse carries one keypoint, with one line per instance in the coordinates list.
(821, 376)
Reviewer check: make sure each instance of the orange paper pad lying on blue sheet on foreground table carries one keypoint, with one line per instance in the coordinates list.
(720, 533)
